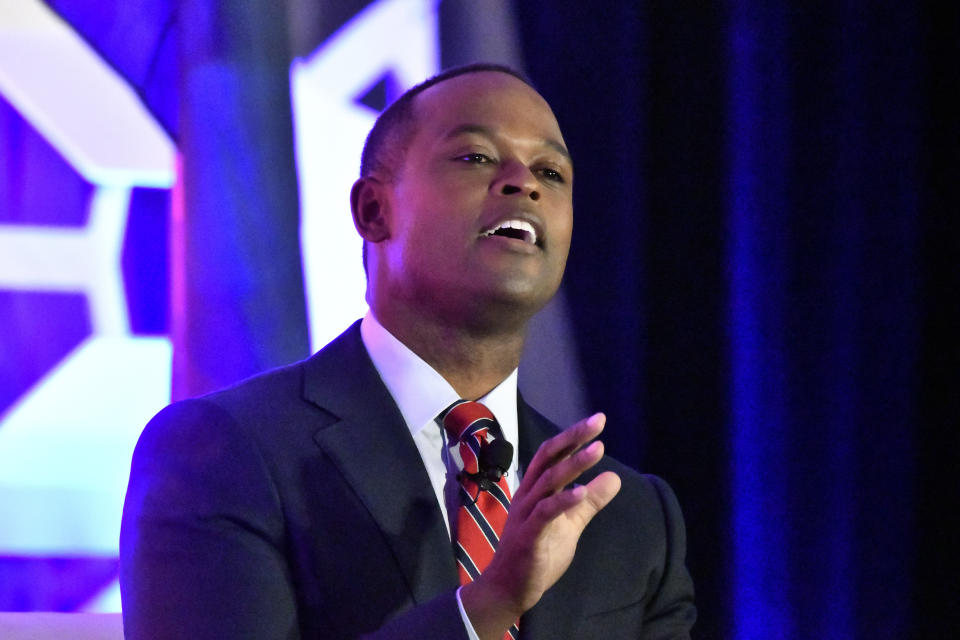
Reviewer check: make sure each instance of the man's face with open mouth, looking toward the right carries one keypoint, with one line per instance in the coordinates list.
(481, 210)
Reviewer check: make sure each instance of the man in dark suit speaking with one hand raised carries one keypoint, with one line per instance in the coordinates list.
(315, 500)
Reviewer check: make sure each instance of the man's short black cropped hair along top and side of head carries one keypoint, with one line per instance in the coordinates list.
(395, 121)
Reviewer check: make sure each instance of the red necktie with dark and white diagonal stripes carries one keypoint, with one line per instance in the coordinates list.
(483, 509)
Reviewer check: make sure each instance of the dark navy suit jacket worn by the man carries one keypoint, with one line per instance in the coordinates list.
(295, 505)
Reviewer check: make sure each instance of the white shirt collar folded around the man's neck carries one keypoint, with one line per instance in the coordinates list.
(420, 392)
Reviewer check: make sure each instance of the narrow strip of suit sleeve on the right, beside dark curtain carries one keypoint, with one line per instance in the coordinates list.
(671, 613)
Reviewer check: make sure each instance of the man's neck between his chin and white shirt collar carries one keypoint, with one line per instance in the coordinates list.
(472, 360)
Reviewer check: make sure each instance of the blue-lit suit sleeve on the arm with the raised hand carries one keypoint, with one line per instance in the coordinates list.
(203, 551)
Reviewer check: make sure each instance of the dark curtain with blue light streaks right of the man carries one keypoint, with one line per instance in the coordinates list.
(765, 247)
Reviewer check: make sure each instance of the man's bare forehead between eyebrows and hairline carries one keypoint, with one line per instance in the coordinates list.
(488, 100)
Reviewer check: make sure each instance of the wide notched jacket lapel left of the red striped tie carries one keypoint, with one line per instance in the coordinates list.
(371, 446)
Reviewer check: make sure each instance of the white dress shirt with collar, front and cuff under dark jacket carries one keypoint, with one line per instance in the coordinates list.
(422, 394)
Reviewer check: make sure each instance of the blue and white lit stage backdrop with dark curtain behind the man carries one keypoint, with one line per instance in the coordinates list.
(761, 292)
